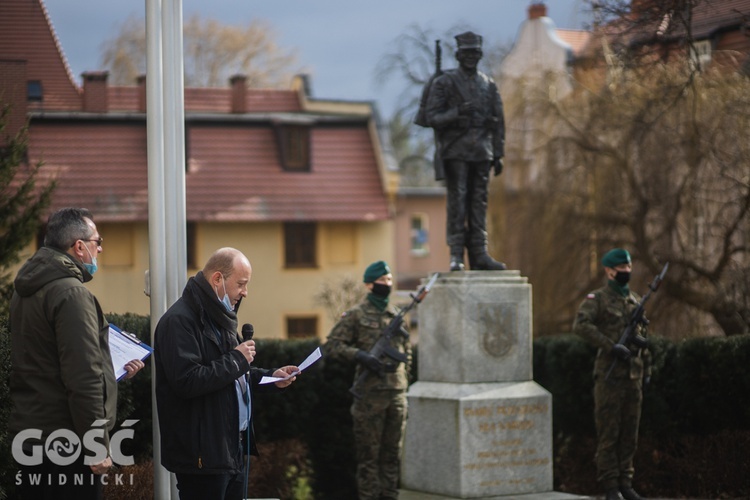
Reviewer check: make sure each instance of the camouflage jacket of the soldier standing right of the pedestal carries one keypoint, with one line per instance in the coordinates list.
(601, 319)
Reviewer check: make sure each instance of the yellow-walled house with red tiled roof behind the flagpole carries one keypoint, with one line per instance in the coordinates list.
(302, 186)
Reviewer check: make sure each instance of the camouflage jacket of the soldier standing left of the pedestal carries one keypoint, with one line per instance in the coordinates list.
(359, 328)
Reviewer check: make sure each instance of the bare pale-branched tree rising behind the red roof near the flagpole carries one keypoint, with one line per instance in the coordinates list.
(213, 53)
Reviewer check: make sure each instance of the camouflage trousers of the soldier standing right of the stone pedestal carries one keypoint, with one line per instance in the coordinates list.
(617, 414)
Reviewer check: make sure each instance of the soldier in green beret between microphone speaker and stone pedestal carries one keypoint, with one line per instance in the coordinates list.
(379, 415)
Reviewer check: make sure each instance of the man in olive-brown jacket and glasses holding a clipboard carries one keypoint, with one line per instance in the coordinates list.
(62, 378)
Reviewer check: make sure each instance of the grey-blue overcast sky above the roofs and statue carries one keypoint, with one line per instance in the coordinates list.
(339, 42)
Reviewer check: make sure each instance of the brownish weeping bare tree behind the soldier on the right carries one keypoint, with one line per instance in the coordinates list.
(657, 162)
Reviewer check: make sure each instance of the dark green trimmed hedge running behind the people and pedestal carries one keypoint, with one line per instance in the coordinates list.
(695, 408)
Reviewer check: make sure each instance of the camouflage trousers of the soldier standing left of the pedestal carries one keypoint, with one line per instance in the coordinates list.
(379, 420)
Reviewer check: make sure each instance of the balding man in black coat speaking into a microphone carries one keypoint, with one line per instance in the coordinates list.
(202, 376)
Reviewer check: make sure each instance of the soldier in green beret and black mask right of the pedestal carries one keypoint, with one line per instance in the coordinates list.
(601, 319)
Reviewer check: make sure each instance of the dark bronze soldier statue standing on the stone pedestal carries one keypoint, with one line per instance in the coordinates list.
(464, 108)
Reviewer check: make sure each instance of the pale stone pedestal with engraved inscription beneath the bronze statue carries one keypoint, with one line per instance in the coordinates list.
(478, 426)
